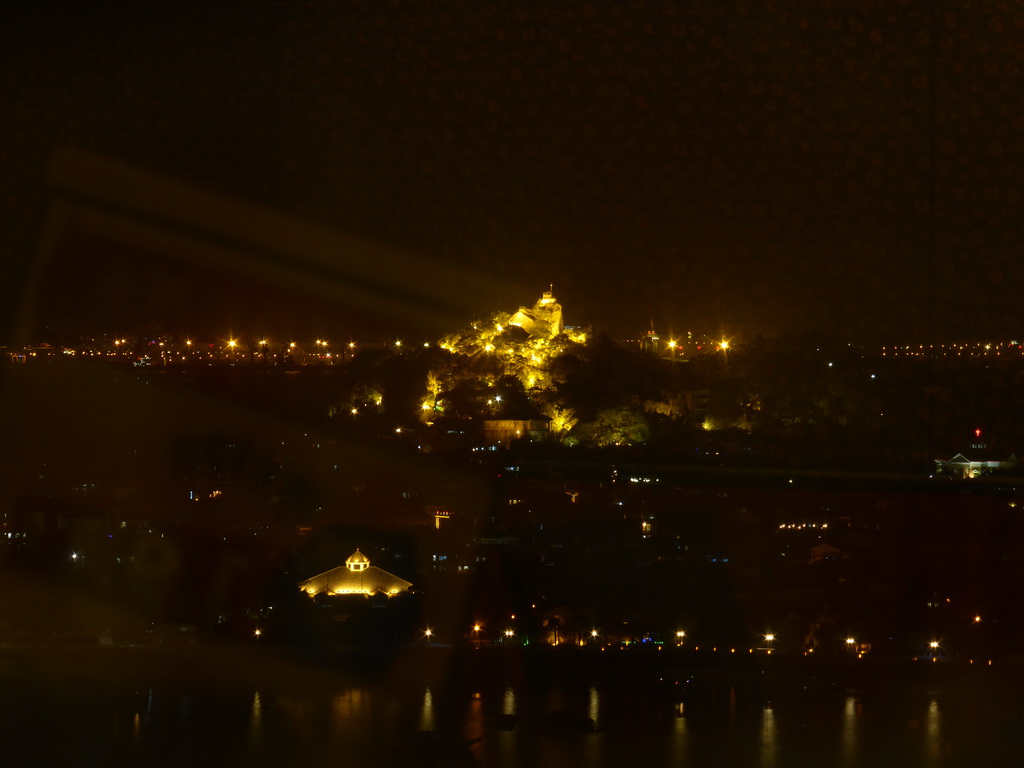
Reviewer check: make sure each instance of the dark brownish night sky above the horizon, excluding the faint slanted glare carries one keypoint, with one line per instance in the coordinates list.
(740, 166)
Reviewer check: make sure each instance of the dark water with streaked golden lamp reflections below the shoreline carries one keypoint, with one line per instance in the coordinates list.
(514, 726)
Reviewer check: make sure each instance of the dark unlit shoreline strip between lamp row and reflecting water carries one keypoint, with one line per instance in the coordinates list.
(237, 668)
